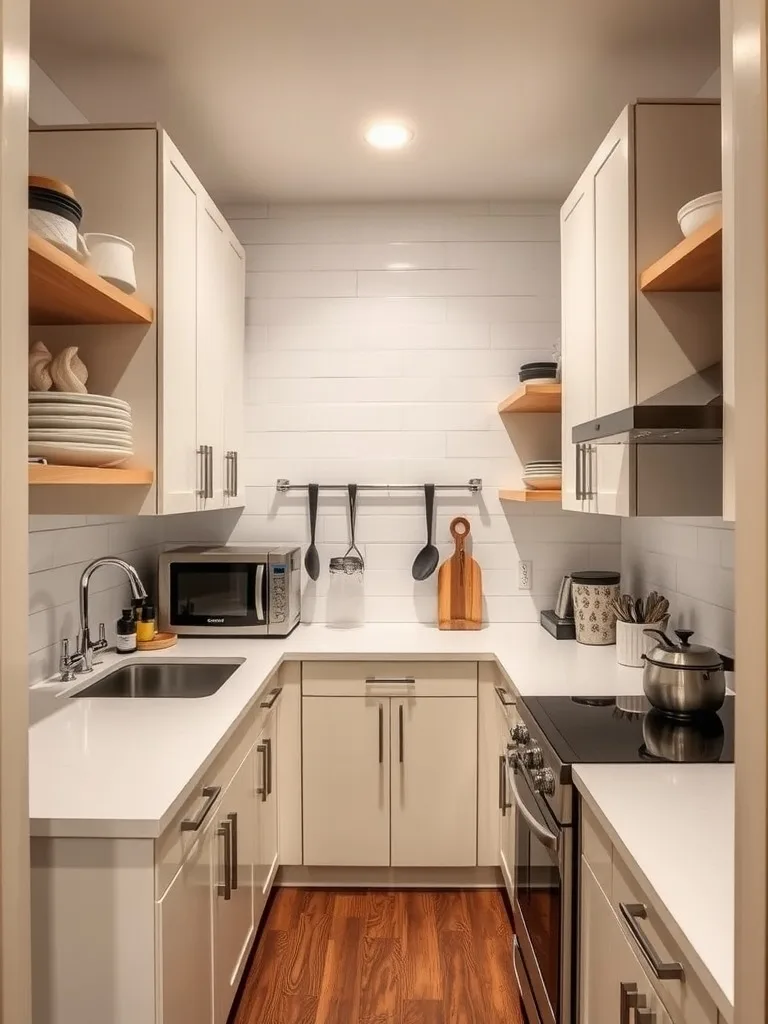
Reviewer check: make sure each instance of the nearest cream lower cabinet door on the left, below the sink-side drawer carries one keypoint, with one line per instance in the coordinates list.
(185, 942)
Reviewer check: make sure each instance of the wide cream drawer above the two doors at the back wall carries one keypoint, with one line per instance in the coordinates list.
(382, 679)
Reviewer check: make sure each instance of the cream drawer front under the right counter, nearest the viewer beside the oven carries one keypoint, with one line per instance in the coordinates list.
(687, 1000)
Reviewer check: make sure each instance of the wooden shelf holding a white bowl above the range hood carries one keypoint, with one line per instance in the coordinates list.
(696, 265)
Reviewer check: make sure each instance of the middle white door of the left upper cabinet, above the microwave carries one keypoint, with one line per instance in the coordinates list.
(214, 349)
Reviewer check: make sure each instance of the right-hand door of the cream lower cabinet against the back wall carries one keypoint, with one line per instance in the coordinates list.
(435, 782)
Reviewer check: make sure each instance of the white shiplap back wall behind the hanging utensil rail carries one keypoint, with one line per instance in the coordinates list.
(379, 342)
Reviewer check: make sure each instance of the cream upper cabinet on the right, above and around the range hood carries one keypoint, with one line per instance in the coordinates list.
(620, 347)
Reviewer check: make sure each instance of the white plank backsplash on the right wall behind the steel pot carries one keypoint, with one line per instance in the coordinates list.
(692, 563)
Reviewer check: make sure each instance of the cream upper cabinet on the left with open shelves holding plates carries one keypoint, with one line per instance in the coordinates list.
(183, 375)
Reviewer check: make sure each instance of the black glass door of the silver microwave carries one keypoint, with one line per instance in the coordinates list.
(212, 599)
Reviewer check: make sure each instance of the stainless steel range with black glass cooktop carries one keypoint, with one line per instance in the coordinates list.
(556, 734)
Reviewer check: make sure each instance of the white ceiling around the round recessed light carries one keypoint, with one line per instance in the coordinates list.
(268, 100)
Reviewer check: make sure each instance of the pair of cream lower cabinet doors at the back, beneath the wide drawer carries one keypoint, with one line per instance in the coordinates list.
(391, 782)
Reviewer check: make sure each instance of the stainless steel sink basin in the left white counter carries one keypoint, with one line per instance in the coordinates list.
(161, 679)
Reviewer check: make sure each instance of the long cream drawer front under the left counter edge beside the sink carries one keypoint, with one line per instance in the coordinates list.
(177, 843)
